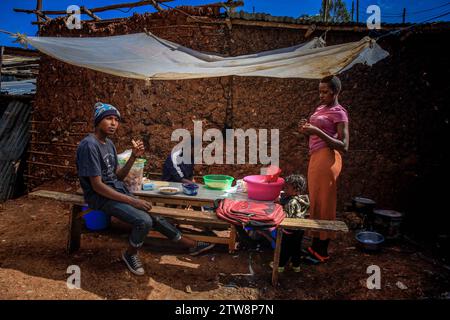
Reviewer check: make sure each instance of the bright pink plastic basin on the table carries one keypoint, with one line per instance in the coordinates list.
(259, 189)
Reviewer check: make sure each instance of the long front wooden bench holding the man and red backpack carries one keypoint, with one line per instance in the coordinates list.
(190, 217)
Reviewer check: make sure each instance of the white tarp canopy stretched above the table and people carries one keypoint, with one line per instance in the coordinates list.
(145, 56)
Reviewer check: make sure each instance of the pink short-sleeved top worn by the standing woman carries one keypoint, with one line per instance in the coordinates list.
(326, 119)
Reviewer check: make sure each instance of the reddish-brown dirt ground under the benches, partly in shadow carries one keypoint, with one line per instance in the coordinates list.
(33, 265)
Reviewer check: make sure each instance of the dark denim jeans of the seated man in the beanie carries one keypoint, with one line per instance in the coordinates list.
(141, 221)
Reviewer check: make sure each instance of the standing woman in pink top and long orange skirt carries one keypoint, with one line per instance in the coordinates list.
(328, 137)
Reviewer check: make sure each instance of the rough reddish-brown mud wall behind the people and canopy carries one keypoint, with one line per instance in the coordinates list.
(398, 108)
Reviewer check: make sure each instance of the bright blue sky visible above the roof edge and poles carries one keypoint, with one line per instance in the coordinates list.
(416, 10)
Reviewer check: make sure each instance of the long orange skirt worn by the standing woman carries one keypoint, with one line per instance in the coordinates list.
(323, 170)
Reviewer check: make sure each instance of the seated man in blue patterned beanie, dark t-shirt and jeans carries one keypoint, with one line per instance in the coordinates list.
(103, 187)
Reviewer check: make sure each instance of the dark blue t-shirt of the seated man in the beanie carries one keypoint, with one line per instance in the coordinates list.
(95, 158)
